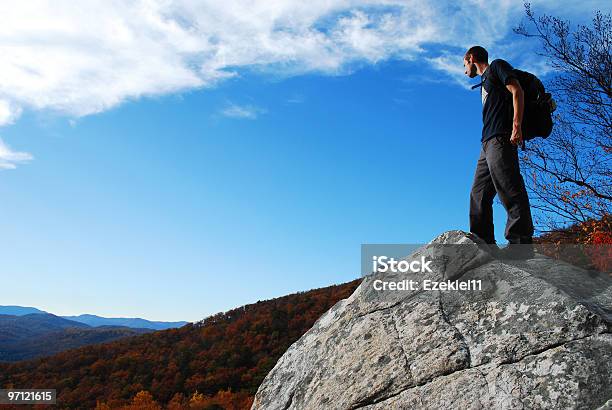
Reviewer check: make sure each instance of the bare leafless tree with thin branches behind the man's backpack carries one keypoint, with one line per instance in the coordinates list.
(571, 173)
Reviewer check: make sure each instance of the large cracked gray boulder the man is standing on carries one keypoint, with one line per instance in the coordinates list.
(536, 335)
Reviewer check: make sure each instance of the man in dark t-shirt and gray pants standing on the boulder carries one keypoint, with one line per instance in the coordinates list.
(497, 170)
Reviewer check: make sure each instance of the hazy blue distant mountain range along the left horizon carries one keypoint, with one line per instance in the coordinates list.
(95, 321)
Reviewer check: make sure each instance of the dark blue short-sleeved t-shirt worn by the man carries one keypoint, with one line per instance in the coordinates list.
(497, 109)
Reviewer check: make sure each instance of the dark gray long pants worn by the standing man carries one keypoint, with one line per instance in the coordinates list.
(498, 172)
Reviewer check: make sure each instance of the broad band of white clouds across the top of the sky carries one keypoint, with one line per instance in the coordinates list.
(80, 58)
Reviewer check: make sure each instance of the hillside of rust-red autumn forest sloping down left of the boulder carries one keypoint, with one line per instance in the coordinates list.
(217, 363)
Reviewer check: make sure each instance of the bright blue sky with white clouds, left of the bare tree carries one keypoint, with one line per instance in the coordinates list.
(176, 168)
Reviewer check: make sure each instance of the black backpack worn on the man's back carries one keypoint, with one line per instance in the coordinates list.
(538, 108)
